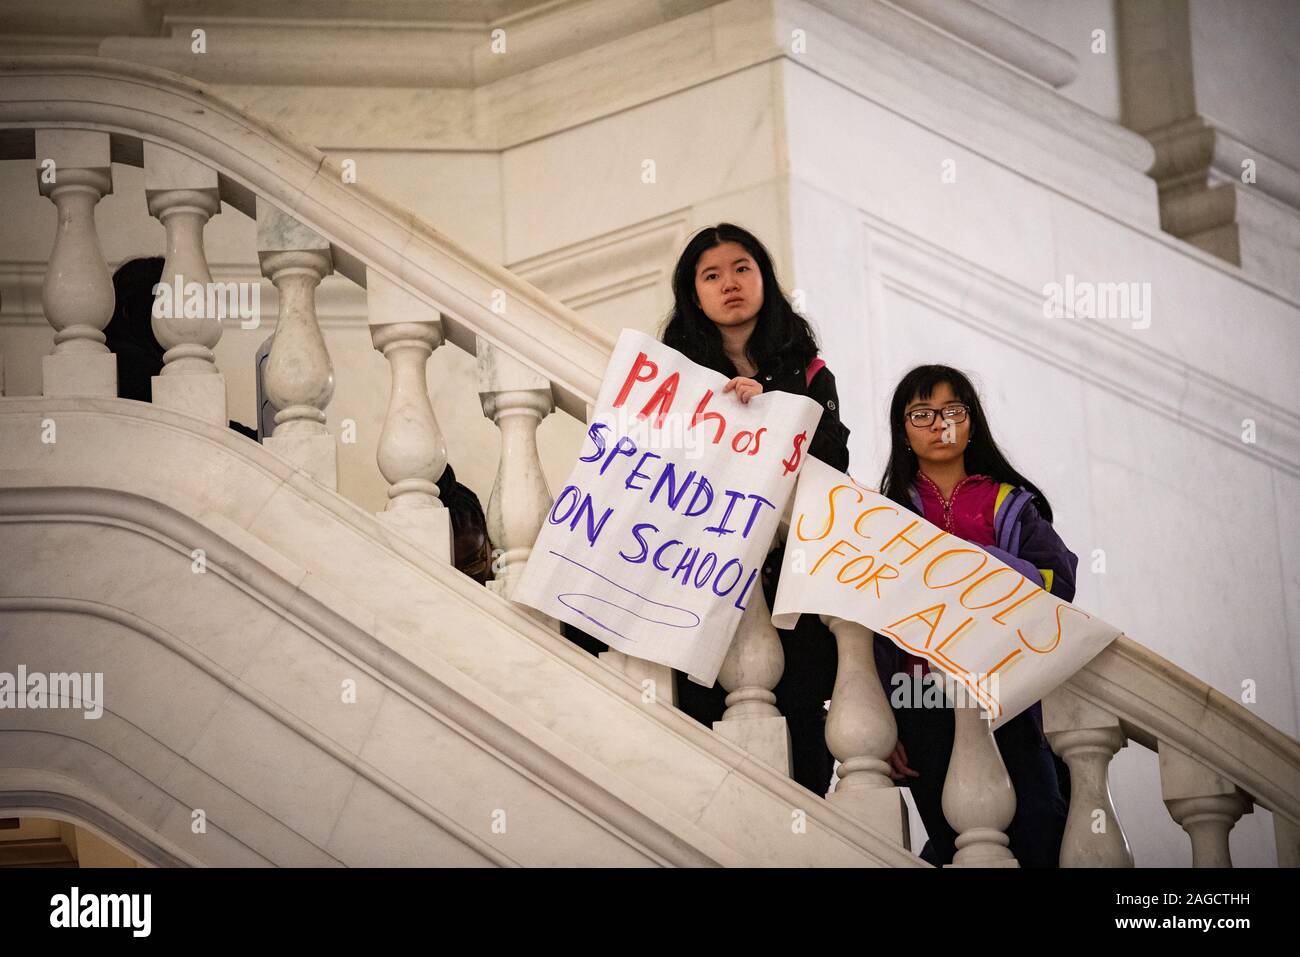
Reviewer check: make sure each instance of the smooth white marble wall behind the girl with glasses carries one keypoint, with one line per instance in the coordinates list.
(1134, 434)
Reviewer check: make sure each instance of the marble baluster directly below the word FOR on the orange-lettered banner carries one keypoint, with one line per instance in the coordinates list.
(861, 733)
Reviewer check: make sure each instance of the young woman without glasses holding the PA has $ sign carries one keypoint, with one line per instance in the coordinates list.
(731, 315)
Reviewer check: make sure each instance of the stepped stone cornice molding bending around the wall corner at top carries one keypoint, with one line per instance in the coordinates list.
(577, 62)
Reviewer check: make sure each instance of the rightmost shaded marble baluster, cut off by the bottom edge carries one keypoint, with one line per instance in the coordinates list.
(1203, 803)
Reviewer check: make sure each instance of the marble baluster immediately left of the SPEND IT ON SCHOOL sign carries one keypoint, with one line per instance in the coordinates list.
(517, 400)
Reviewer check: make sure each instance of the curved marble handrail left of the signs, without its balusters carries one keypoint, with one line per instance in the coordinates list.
(479, 300)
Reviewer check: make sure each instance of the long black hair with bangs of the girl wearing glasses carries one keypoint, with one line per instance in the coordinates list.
(983, 457)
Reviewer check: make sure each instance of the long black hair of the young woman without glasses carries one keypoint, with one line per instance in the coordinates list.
(781, 336)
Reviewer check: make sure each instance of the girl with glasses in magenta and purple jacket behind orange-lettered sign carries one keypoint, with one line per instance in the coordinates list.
(946, 466)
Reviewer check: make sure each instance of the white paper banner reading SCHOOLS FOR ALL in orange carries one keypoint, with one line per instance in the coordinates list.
(855, 555)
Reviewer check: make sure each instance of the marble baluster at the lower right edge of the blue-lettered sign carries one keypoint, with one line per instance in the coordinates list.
(753, 666)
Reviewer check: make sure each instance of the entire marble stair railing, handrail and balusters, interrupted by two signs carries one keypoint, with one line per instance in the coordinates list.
(73, 118)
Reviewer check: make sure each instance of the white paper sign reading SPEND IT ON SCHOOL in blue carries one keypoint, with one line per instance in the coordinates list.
(657, 542)
